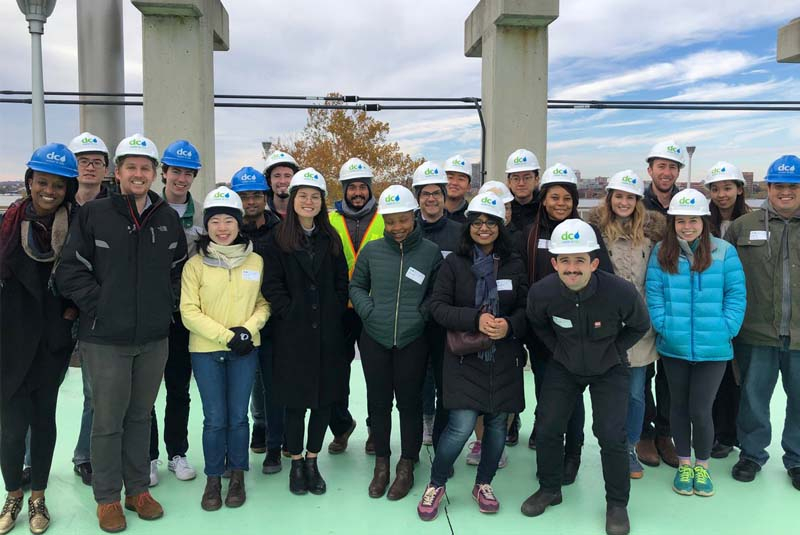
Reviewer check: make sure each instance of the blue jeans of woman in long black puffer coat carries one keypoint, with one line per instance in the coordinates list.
(460, 424)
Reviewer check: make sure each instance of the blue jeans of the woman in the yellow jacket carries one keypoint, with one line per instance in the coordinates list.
(225, 380)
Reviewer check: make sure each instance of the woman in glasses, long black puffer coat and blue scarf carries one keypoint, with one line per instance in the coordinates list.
(481, 288)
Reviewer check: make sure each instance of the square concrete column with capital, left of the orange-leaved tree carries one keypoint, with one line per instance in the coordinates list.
(178, 40)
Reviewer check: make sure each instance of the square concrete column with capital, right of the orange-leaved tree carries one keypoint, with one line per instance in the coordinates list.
(511, 37)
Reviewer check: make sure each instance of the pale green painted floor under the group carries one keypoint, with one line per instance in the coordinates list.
(764, 506)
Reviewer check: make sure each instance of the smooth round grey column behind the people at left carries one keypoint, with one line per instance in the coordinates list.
(101, 68)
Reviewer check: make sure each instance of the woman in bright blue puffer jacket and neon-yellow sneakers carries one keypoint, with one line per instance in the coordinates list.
(696, 295)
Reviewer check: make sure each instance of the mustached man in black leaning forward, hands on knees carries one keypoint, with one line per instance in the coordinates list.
(588, 319)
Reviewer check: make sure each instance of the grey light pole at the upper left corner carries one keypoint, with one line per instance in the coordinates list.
(36, 13)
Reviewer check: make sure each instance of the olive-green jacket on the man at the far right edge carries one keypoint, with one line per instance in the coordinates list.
(759, 239)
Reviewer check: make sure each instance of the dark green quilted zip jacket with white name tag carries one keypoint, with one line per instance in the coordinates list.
(391, 285)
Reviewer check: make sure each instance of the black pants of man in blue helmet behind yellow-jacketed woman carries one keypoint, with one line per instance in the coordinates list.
(177, 378)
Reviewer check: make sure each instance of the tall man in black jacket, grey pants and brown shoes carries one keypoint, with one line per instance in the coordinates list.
(121, 265)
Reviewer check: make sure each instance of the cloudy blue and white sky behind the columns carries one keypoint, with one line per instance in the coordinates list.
(599, 49)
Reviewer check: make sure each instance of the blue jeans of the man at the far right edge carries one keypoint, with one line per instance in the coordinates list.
(760, 366)
